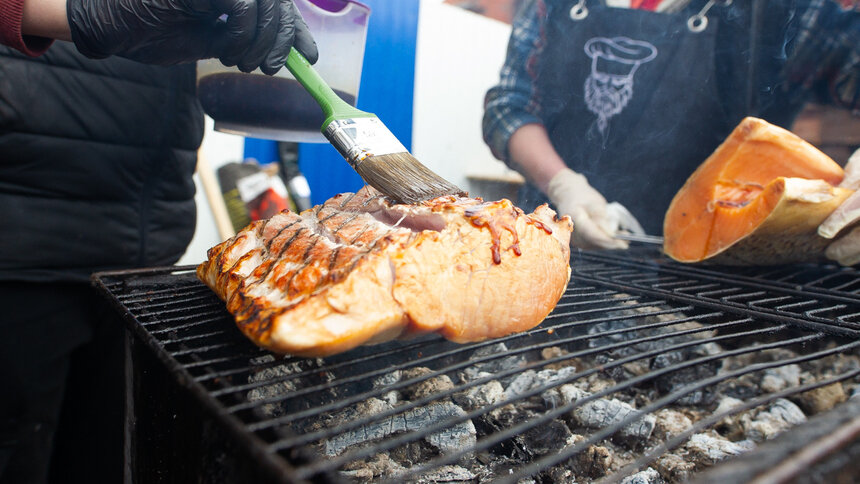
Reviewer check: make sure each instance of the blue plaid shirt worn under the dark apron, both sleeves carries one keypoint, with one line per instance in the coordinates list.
(827, 50)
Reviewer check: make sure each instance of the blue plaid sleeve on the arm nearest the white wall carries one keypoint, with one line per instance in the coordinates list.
(513, 101)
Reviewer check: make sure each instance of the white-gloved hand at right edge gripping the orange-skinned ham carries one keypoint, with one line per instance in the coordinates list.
(845, 250)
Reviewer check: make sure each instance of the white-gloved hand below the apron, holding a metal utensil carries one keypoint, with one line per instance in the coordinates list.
(594, 221)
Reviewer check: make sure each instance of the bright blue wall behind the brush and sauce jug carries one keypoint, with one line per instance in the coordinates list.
(387, 84)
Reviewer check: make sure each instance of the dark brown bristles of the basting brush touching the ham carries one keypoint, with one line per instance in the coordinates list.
(402, 178)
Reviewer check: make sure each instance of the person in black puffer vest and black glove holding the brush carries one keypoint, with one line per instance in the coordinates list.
(98, 145)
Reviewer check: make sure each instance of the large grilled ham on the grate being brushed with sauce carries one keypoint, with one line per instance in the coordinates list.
(361, 270)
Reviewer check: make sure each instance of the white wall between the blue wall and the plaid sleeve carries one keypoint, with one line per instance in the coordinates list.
(459, 55)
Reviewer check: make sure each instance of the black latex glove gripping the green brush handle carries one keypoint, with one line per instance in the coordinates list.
(256, 33)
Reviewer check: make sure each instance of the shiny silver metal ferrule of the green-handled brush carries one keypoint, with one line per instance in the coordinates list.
(358, 138)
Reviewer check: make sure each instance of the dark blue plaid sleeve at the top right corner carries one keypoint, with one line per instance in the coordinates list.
(828, 51)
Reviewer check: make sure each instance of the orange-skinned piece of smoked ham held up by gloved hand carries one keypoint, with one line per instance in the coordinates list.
(757, 200)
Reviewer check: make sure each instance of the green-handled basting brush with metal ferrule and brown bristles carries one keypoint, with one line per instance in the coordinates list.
(368, 145)
